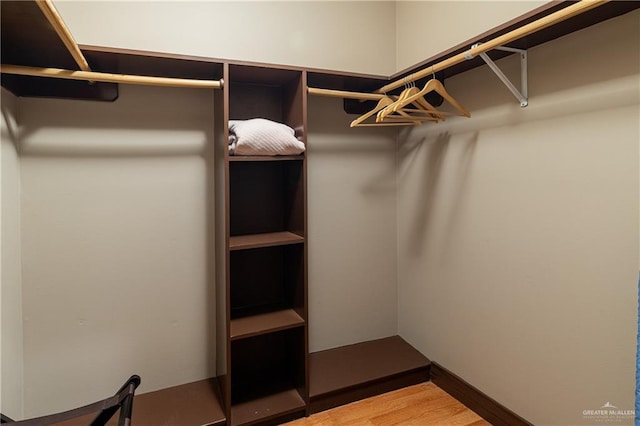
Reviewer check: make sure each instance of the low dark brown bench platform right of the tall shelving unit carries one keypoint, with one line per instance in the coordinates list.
(345, 374)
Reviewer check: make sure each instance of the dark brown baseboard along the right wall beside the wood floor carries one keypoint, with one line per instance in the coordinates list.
(486, 407)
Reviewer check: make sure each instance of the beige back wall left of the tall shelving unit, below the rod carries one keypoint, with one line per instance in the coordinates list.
(117, 270)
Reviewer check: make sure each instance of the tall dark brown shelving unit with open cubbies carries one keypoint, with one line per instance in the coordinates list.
(264, 286)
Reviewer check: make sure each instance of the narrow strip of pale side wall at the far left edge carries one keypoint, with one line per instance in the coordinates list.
(11, 355)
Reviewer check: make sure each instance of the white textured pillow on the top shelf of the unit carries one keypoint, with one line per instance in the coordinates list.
(259, 136)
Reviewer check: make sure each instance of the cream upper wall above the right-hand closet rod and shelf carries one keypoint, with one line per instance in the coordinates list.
(426, 28)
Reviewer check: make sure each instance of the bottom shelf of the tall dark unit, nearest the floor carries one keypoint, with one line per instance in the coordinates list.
(268, 407)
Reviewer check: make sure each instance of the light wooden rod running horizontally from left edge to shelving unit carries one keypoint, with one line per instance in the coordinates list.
(111, 78)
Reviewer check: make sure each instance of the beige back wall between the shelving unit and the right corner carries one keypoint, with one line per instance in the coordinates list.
(352, 235)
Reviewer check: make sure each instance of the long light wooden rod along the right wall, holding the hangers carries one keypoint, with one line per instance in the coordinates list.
(554, 18)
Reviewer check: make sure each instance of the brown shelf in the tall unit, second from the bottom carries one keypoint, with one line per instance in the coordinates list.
(264, 323)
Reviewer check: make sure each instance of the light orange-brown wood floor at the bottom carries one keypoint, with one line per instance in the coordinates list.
(420, 405)
